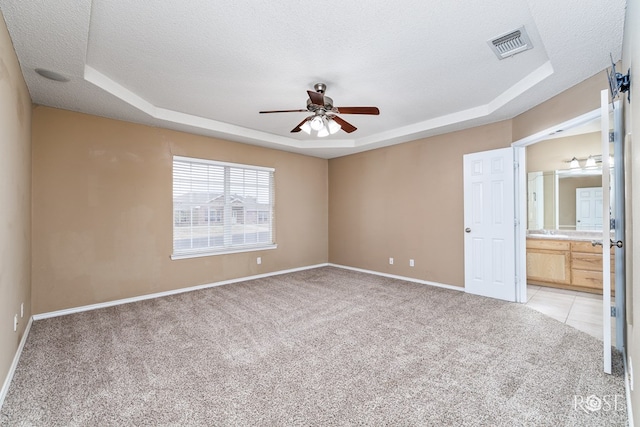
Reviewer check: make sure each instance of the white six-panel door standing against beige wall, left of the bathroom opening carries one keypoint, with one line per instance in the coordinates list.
(489, 221)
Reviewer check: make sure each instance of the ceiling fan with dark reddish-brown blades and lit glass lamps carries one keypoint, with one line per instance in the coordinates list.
(324, 119)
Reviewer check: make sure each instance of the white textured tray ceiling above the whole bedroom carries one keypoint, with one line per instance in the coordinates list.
(209, 67)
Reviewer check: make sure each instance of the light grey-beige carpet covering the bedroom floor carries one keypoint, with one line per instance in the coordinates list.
(320, 347)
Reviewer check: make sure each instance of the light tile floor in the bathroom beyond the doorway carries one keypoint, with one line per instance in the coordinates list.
(578, 309)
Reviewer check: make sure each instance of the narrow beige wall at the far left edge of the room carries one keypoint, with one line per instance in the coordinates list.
(15, 201)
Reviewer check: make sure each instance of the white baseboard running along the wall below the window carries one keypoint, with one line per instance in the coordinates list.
(166, 293)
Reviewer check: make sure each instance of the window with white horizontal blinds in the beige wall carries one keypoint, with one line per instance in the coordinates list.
(221, 207)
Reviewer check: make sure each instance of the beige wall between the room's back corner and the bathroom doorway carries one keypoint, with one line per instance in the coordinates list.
(405, 202)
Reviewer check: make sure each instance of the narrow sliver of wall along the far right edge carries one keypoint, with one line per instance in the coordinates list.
(631, 59)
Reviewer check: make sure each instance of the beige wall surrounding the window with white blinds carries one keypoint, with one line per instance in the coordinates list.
(102, 210)
